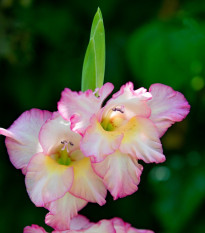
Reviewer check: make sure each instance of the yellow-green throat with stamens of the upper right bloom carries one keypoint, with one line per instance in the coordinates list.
(114, 118)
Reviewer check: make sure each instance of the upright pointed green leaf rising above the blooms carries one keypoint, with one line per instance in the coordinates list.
(94, 61)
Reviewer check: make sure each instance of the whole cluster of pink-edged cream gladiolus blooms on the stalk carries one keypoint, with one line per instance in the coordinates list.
(73, 156)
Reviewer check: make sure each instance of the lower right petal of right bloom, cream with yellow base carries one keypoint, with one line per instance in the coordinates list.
(141, 140)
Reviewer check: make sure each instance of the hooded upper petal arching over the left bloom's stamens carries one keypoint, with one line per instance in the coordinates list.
(55, 132)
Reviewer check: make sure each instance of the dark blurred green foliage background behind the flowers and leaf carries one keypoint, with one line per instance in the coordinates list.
(42, 46)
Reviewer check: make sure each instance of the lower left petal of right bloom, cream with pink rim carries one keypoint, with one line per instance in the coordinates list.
(98, 143)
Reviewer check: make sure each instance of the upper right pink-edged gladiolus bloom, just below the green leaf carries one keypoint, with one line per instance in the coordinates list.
(127, 128)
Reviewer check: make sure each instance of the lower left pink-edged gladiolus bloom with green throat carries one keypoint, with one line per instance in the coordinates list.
(58, 176)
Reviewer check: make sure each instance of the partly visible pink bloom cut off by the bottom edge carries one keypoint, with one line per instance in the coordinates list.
(80, 224)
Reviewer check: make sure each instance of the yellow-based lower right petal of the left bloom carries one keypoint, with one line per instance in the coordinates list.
(86, 184)
